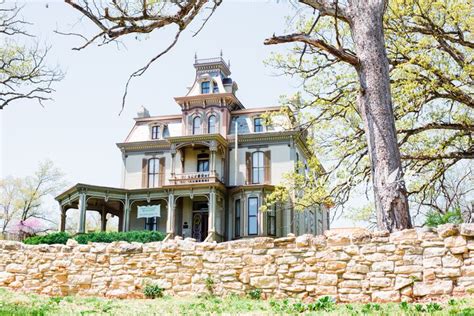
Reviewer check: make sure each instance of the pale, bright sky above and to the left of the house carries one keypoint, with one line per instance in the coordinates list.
(78, 130)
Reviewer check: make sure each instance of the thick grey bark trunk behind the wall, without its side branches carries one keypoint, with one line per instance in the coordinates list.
(375, 106)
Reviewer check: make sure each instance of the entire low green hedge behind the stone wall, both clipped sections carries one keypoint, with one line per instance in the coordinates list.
(106, 237)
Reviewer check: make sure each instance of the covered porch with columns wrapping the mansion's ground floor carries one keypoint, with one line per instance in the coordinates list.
(195, 211)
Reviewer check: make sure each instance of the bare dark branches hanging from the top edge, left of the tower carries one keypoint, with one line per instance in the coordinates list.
(117, 18)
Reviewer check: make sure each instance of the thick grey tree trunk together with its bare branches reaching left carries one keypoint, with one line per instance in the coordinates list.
(364, 18)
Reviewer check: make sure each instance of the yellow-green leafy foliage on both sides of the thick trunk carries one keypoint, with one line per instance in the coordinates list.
(430, 49)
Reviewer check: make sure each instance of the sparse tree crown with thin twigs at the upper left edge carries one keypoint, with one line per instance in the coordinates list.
(23, 70)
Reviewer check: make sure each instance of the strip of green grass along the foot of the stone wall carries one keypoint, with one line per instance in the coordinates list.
(12, 303)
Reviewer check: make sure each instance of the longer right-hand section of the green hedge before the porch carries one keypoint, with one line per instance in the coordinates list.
(133, 236)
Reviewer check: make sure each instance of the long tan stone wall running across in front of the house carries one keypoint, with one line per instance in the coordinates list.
(350, 265)
